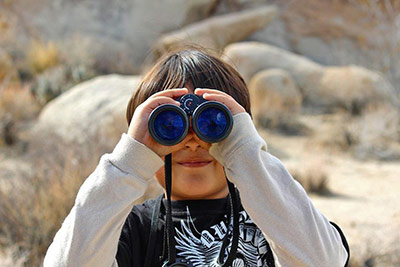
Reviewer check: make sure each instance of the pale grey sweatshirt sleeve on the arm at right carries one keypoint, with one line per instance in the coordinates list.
(298, 233)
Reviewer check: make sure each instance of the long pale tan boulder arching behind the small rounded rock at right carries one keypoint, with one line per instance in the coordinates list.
(351, 88)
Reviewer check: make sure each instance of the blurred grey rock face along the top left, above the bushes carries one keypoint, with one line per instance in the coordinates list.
(119, 31)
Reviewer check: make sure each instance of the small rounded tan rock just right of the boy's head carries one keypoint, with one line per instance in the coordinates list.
(274, 91)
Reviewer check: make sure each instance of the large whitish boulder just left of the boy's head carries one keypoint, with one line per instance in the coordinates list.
(91, 109)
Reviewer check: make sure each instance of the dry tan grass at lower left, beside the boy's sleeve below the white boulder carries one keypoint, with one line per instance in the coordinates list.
(33, 208)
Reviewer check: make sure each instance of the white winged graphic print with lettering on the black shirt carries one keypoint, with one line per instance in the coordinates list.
(202, 249)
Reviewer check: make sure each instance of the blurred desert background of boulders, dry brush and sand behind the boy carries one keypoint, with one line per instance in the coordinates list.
(323, 76)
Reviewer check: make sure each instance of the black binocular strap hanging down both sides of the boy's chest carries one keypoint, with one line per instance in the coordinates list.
(169, 228)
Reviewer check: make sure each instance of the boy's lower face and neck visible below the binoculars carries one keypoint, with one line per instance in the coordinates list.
(195, 173)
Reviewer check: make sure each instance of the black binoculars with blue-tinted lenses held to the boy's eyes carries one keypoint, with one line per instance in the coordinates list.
(210, 120)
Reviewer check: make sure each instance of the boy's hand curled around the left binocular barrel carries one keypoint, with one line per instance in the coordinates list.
(138, 128)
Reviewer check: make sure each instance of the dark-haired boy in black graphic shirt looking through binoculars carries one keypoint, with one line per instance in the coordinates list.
(279, 226)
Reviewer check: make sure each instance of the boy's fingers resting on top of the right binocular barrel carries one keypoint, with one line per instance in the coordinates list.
(219, 96)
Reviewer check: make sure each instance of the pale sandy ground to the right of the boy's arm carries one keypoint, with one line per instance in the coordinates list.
(365, 199)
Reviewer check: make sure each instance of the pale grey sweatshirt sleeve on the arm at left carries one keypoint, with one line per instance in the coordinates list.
(90, 233)
